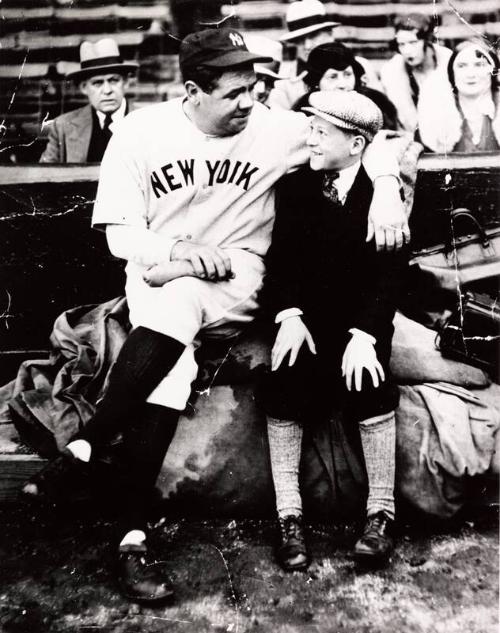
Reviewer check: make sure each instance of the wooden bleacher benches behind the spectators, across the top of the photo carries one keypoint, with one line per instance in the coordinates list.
(41, 39)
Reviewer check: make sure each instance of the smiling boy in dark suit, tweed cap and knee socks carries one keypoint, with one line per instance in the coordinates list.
(334, 300)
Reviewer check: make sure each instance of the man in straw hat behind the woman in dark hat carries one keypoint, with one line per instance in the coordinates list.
(308, 27)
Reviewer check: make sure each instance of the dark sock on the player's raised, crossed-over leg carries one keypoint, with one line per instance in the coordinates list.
(145, 358)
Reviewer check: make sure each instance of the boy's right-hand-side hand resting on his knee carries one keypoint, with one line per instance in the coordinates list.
(360, 355)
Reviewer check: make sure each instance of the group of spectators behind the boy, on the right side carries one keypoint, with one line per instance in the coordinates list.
(448, 100)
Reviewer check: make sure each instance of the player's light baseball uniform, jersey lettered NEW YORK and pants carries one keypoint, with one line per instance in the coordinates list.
(162, 173)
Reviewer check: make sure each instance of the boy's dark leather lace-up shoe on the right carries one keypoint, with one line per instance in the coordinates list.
(376, 544)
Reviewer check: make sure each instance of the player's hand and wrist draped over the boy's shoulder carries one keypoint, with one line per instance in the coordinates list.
(387, 220)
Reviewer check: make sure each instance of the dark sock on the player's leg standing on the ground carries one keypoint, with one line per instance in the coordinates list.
(145, 444)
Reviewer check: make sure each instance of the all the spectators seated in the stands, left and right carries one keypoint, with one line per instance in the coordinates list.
(447, 100)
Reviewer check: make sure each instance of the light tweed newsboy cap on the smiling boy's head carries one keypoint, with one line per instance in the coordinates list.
(347, 110)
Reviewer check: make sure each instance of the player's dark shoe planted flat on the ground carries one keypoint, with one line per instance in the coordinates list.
(139, 580)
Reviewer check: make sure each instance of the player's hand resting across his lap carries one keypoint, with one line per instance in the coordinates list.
(209, 262)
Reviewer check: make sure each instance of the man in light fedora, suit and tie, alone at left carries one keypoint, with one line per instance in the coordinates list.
(81, 136)
